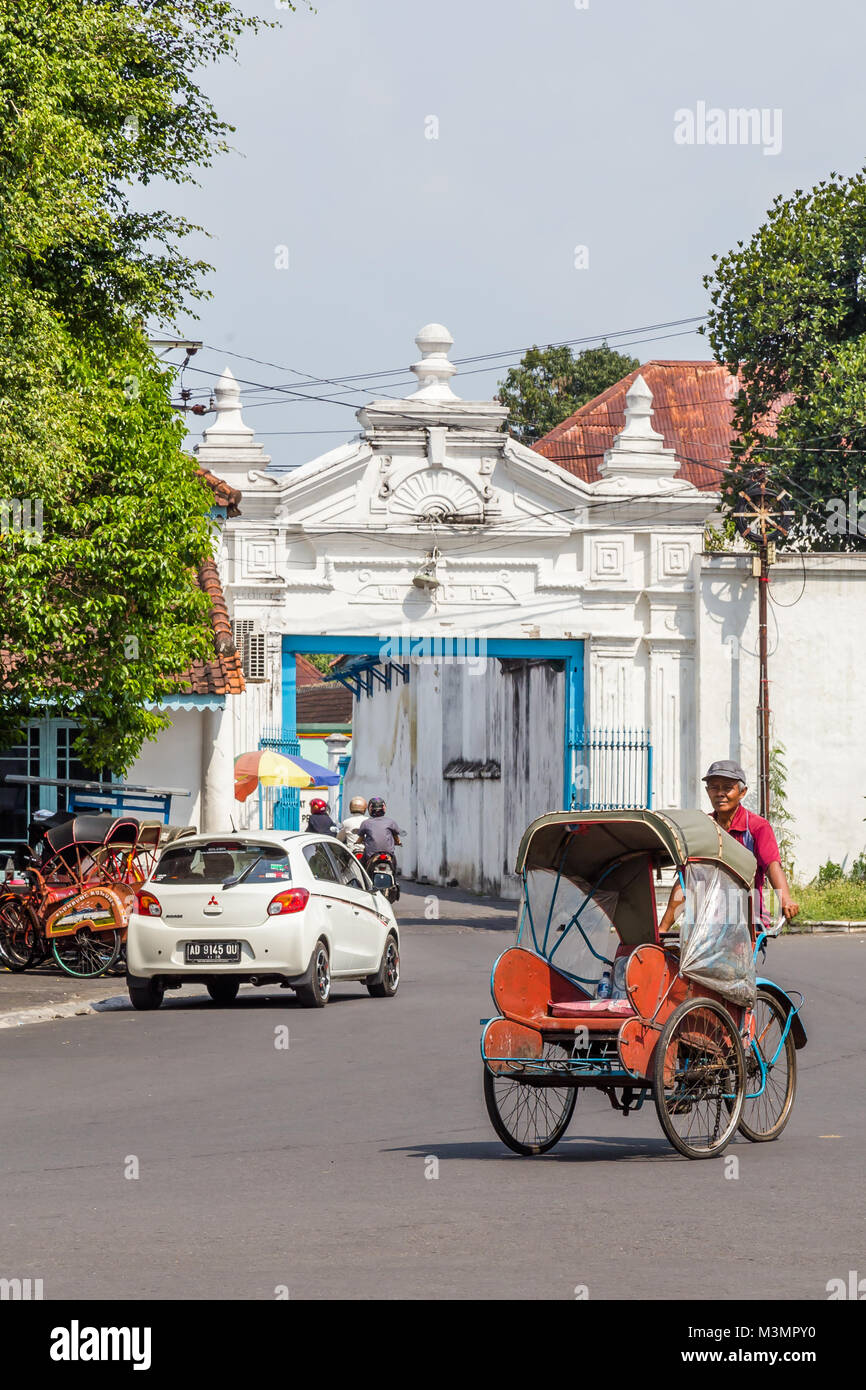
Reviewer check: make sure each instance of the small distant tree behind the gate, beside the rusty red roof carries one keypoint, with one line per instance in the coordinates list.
(551, 384)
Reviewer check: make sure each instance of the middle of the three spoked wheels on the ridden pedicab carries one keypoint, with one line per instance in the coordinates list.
(700, 1078)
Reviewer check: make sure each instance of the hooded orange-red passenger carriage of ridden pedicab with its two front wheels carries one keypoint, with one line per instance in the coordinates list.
(672, 1036)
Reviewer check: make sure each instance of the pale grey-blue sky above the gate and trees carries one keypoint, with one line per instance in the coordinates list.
(523, 172)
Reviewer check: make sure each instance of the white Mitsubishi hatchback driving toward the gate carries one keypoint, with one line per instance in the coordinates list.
(262, 907)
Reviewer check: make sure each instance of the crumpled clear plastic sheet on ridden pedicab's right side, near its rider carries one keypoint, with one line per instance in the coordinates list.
(715, 939)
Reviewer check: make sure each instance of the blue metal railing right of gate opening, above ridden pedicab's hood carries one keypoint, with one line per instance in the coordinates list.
(612, 769)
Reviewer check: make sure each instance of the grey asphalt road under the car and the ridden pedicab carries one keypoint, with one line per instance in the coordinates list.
(308, 1168)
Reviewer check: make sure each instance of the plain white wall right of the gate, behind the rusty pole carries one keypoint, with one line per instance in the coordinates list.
(818, 696)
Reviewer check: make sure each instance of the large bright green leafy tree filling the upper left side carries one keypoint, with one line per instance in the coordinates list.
(99, 608)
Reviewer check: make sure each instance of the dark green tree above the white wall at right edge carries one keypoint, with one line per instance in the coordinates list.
(790, 319)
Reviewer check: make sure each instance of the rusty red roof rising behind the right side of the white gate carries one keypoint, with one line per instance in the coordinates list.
(692, 404)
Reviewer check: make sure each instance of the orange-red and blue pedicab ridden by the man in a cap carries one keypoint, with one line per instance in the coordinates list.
(593, 995)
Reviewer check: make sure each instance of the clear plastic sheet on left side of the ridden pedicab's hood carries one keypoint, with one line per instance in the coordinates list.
(569, 925)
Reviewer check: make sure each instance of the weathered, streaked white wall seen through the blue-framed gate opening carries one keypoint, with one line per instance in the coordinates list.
(459, 831)
